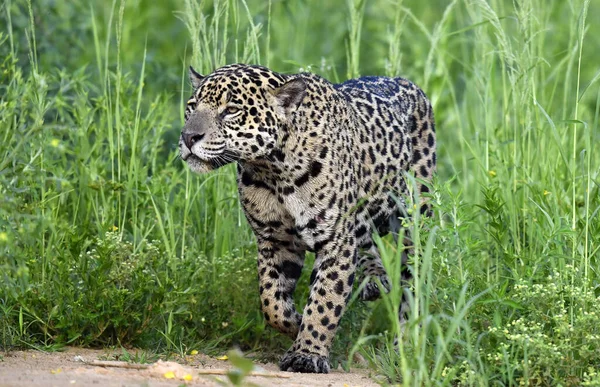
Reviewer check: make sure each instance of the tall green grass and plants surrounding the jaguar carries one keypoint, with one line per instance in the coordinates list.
(106, 239)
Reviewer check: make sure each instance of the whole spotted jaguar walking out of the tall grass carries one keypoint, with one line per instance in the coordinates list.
(320, 168)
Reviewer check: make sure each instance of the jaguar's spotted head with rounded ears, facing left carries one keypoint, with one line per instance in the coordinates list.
(236, 113)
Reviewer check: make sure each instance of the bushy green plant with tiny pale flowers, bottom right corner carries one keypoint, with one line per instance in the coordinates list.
(555, 337)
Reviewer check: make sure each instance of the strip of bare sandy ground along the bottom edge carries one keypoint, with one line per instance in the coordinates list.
(72, 368)
